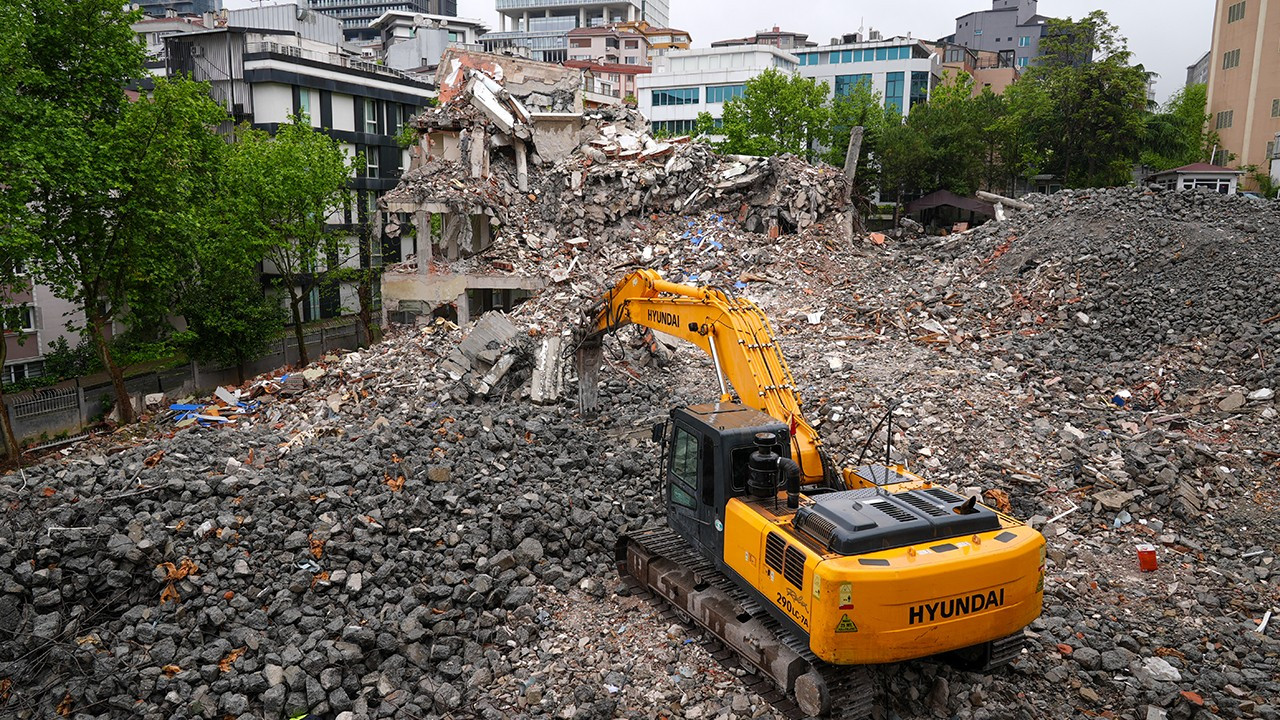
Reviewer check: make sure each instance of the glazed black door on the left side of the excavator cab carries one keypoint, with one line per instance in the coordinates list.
(692, 490)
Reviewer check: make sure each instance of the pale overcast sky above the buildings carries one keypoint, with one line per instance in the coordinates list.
(1164, 35)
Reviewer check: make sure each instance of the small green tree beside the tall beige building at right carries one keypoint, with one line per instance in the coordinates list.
(1178, 135)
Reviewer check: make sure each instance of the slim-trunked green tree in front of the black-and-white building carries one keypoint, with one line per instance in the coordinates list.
(289, 188)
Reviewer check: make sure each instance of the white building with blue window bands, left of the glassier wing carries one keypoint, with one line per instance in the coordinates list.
(688, 83)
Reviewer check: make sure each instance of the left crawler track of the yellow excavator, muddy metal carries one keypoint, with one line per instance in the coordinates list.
(781, 667)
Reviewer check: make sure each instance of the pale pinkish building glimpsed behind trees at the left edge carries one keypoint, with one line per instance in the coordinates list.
(45, 320)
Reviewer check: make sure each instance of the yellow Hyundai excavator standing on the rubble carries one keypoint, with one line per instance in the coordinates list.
(808, 575)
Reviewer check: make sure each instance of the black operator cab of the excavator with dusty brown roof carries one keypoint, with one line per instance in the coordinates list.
(706, 463)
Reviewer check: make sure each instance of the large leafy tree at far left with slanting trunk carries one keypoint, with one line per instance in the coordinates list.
(116, 184)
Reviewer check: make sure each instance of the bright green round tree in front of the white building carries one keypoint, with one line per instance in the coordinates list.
(778, 113)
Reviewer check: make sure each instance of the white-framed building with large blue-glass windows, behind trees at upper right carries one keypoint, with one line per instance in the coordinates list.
(902, 70)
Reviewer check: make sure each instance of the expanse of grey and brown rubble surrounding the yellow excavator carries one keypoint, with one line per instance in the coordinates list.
(390, 544)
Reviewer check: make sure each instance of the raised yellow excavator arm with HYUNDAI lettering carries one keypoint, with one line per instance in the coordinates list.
(730, 329)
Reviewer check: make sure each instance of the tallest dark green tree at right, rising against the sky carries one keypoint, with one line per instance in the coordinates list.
(1081, 120)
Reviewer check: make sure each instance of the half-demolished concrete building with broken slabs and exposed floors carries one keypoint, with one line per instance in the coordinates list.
(511, 153)
